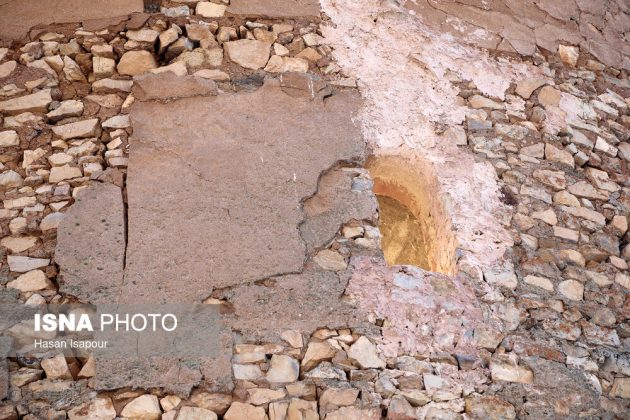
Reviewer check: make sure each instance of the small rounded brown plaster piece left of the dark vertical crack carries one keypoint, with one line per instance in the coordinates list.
(93, 229)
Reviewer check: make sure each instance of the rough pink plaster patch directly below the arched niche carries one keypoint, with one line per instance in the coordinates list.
(424, 312)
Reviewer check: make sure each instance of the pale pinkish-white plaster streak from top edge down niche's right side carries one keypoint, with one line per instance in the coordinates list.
(403, 71)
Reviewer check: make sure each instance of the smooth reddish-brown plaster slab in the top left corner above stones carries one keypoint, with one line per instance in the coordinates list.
(18, 16)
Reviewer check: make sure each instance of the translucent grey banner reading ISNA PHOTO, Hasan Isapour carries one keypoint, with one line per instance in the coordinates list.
(111, 331)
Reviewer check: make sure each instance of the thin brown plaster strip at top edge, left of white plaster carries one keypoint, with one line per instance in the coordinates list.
(275, 8)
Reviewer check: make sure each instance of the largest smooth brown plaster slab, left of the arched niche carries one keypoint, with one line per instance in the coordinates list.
(216, 187)
